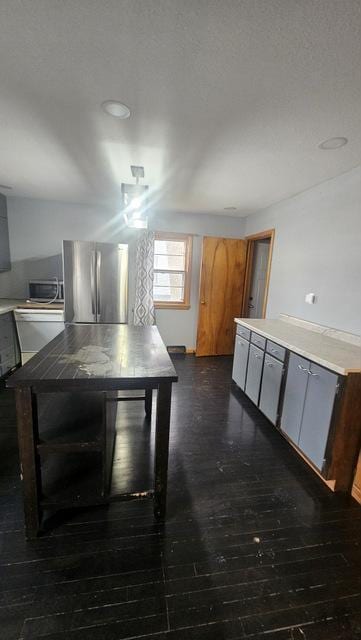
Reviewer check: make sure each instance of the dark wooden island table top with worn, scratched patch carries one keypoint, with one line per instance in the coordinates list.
(98, 357)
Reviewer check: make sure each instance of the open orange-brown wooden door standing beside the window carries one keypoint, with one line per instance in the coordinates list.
(220, 295)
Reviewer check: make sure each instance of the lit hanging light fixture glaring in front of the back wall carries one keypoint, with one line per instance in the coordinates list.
(134, 200)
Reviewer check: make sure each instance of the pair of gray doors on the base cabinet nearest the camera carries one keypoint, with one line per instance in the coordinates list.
(308, 406)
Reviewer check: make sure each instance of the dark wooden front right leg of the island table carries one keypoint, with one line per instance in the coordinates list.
(161, 448)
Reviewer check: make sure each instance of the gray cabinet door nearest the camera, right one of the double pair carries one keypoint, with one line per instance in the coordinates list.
(317, 413)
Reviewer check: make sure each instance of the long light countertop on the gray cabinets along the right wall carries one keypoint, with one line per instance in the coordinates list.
(334, 354)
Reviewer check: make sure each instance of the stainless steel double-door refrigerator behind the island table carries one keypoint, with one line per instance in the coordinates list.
(95, 282)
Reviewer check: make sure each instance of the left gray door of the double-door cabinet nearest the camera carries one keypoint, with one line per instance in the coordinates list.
(295, 394)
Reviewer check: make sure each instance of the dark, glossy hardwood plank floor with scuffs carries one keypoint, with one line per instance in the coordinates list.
(254, 545)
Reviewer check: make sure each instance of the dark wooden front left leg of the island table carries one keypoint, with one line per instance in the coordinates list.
(26, 411)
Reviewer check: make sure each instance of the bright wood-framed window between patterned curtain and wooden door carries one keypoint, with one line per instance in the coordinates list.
(172, 260)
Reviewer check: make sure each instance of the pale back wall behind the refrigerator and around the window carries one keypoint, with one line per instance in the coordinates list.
(37, 228)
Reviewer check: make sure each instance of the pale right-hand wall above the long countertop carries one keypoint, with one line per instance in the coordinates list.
(317, 250)
